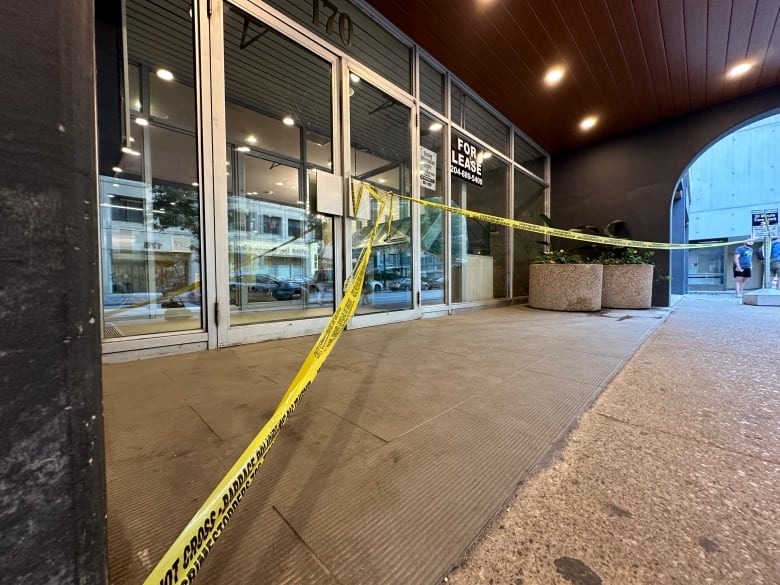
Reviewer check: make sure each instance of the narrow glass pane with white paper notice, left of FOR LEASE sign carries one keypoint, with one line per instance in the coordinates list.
(433, 271)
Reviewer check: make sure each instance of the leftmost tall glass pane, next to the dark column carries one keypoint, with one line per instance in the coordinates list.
(150, 217)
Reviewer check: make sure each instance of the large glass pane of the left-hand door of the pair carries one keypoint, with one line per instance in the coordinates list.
(279, 126)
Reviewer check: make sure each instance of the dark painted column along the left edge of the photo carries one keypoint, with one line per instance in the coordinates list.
(52, 476)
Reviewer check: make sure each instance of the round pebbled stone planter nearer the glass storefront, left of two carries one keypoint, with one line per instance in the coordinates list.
(565, 287)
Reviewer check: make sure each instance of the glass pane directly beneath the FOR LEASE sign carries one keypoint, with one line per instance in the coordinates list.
(479, 249)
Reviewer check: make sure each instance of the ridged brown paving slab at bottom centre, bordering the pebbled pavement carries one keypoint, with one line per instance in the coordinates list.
(418, 500)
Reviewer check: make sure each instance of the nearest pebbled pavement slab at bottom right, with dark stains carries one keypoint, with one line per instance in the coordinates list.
(636, 507)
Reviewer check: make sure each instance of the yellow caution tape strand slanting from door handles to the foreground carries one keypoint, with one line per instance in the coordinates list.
(181, 563)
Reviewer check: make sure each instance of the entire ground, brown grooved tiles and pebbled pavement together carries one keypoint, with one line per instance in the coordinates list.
(415, 435)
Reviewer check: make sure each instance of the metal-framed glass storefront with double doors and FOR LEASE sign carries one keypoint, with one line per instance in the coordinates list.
(233, 140)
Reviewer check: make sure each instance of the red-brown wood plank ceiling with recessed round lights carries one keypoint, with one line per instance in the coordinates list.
(630, 62)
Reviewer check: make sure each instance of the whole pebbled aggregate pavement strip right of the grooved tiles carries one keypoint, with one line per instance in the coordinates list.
(672, 477)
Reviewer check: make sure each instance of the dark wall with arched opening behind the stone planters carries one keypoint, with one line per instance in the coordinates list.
(633, 177)
